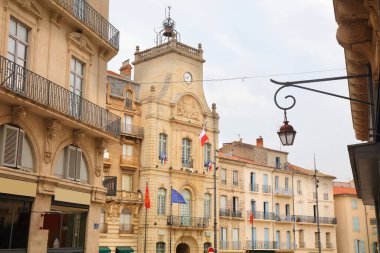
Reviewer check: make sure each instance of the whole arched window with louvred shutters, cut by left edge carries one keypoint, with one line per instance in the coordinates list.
(15, 148)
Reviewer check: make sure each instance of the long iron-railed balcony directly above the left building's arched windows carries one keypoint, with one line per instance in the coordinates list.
(48, 95)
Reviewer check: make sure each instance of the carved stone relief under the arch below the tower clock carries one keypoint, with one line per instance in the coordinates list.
(189, 108)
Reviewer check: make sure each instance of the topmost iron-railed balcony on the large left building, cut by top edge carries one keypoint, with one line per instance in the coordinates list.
(87, 15)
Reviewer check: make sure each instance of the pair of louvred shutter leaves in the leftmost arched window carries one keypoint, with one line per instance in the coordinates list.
(11, 146)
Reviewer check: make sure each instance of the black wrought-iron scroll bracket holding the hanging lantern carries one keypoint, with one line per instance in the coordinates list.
(294, 84)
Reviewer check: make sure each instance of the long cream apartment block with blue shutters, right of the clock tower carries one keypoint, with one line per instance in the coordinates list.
(281, 197)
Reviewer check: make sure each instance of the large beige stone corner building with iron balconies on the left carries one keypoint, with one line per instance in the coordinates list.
(54, 126)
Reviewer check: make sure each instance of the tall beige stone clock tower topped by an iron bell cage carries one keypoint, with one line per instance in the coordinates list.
(174, 112)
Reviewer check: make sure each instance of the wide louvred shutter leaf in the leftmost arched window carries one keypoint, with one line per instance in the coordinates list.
(9, 145)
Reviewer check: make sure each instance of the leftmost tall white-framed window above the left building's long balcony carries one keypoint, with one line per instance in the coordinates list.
(18, 43)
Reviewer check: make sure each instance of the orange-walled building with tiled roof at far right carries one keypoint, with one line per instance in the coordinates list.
(357, 225)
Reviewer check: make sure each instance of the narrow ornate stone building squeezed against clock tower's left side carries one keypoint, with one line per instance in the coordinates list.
(119, 214)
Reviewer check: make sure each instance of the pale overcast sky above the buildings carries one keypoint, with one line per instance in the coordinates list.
(244, 38)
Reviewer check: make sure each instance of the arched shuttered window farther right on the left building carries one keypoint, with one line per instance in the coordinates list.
(72, 165)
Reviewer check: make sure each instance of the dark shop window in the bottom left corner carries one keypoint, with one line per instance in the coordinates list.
(14, 223)
